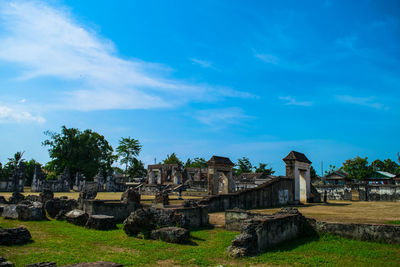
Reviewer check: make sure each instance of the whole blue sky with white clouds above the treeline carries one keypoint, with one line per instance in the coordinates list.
(203, 78)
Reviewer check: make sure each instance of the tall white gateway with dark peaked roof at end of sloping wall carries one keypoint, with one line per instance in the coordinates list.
(298, 168)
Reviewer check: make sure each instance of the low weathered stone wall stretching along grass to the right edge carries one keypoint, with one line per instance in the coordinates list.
(364, 232)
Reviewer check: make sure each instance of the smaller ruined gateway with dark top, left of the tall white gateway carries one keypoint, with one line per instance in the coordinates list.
(220, 179)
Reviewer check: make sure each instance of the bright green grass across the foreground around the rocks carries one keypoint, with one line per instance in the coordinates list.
(67, 244)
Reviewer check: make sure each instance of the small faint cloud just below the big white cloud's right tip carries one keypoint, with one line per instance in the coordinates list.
(221, 117)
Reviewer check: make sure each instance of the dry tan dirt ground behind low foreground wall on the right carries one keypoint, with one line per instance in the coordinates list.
(337, 211)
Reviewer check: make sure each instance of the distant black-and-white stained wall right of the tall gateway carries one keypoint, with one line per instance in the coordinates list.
(363, 192)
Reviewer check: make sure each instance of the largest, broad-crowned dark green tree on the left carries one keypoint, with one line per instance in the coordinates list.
(87, 152)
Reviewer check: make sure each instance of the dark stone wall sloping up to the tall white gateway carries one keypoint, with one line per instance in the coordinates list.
(278, 192)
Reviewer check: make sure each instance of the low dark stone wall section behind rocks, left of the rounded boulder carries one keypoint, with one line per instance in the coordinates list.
(120, 211)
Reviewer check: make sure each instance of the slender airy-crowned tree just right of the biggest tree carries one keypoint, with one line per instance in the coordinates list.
(128, 149)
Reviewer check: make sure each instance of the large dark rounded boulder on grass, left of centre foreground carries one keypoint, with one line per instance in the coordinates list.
(147, 219)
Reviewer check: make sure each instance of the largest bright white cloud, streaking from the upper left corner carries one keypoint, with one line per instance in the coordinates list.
(47, 42)
